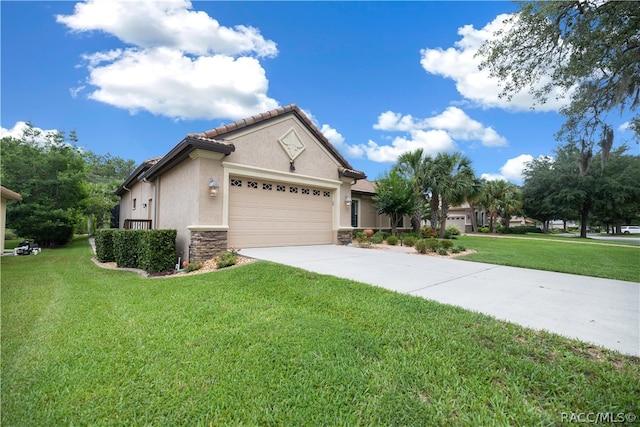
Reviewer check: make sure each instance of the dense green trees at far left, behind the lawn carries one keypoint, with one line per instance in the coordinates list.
(62, 186)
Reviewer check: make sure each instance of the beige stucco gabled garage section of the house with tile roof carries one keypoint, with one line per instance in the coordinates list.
(269, 180)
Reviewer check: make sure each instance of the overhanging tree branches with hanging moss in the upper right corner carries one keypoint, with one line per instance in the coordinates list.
(587, 49)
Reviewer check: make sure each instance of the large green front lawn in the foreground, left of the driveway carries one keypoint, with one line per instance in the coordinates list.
(265, 344)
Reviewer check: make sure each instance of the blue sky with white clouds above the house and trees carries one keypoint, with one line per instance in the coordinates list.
(133, 78)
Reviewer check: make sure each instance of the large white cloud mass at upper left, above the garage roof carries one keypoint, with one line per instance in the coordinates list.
(179, 63)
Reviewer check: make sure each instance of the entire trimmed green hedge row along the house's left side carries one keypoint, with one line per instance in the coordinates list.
(150, 250)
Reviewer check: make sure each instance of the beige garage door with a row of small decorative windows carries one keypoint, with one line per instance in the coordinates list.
(263, 213)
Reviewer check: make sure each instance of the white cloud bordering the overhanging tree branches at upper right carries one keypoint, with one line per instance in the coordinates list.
(460, 64)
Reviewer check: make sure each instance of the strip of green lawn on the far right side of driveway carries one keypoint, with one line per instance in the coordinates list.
(565, 255)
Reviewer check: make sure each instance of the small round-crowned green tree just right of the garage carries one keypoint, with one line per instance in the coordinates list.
(394, 197)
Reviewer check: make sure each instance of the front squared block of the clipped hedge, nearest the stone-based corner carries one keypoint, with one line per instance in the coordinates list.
(157, 250)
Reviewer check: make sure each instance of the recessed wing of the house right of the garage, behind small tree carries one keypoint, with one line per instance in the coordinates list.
(363, 211)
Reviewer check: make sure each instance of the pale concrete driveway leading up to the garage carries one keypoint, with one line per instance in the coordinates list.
(599, 311)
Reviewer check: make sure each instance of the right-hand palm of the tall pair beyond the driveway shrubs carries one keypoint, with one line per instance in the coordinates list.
(454, 181)
